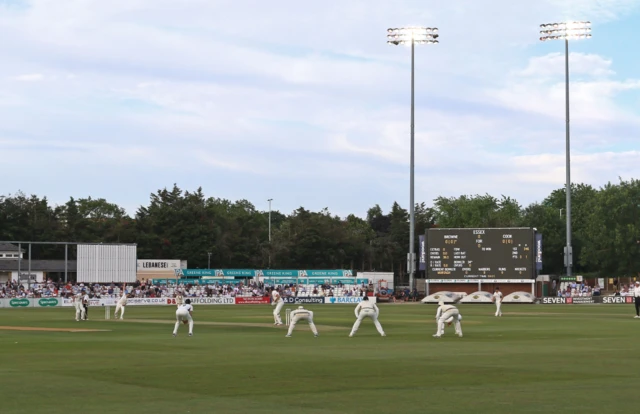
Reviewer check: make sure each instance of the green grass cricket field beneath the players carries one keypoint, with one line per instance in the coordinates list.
(535, 359)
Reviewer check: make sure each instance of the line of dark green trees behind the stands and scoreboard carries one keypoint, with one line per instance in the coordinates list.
(186, 225)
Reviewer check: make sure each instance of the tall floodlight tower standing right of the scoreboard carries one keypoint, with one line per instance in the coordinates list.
(566, 31)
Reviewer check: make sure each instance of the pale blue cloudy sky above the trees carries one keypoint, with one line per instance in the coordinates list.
(305, 103)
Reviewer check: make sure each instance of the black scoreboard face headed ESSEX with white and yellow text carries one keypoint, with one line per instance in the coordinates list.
(506, 253)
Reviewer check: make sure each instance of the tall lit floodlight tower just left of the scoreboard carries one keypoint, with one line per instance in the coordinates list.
(411, 36)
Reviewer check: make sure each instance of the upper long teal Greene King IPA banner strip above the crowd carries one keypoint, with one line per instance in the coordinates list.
(261, 273)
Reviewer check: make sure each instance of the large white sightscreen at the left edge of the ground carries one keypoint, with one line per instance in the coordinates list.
(106, 263)
